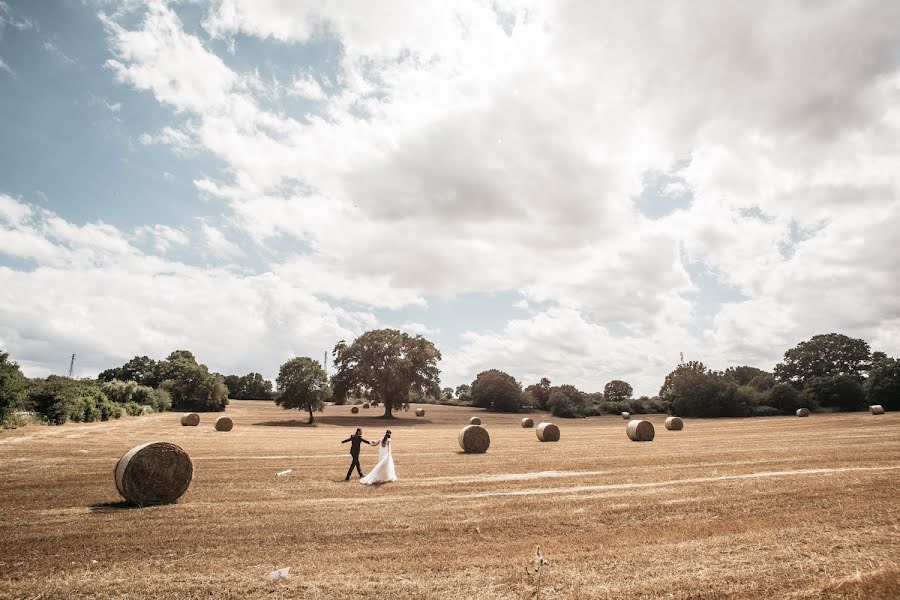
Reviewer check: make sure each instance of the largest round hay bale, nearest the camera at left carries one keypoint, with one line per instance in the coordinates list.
(154, 473)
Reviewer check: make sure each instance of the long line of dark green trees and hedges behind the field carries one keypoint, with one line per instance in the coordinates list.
(392, 369)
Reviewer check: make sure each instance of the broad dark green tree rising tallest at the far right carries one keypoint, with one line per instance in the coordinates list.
(824, 355)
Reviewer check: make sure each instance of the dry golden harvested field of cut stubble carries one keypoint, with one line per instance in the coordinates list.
(729, 508)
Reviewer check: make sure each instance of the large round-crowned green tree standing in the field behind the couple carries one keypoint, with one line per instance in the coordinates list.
(386, 364)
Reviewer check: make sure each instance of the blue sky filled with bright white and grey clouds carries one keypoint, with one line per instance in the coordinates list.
(583, 191)
